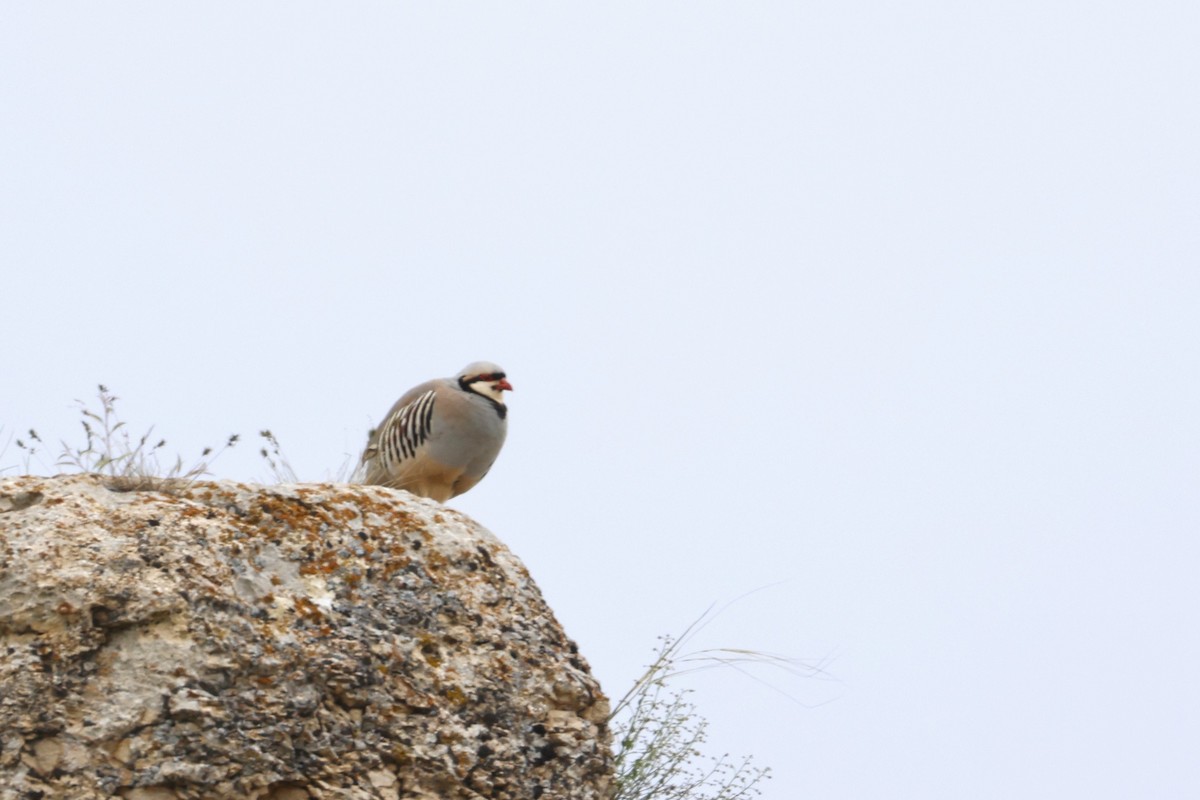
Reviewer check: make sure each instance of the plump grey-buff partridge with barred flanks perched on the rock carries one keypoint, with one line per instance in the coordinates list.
(442, 437)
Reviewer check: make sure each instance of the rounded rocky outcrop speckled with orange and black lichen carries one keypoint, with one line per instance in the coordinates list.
(305, 641)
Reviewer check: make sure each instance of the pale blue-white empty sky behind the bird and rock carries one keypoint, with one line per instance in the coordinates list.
(896, 306)
